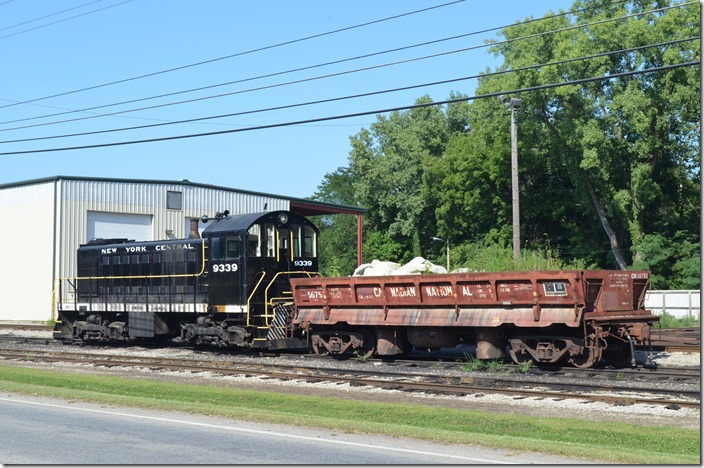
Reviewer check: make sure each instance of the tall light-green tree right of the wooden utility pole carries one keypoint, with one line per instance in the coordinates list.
(625, 150)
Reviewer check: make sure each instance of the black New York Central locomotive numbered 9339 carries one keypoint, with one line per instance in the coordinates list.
(229, 287)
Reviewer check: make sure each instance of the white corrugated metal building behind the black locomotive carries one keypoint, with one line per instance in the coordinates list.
(45, 220)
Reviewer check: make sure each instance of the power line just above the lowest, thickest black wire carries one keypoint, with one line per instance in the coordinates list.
(356, 96)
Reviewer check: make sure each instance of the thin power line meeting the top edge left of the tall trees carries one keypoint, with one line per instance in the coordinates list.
(239, 54)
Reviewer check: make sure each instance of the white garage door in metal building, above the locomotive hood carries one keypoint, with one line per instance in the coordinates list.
(119, 225)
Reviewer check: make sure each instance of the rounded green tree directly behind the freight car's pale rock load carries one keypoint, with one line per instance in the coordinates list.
(388, 161)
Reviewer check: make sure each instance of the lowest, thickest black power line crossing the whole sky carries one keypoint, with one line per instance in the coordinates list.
(359, 114)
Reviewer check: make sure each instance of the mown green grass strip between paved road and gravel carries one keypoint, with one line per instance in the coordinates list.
(610, 442)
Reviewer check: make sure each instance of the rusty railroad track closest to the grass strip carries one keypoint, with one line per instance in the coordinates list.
(518, 386)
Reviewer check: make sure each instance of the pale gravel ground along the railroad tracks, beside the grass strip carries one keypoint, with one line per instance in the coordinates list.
(535, 406)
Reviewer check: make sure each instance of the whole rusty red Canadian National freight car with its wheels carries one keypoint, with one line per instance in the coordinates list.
(575, 316)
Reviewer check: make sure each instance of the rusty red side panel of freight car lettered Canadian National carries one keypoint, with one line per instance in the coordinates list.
(537, 299)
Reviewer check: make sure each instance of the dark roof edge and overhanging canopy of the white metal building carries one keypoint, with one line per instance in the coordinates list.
(300, 205)
